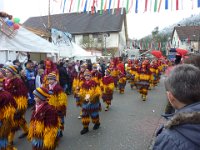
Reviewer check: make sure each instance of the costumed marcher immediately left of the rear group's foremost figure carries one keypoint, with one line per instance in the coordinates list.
(134, 74)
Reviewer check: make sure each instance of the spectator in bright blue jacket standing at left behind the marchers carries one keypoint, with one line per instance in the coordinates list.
(30, 79)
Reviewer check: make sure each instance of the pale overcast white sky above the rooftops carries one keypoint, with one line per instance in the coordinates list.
(139, 24)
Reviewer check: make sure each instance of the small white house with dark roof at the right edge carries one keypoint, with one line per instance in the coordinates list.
(186, 37)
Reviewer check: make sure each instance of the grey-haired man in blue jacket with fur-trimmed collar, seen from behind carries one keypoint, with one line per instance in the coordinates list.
(181, 131)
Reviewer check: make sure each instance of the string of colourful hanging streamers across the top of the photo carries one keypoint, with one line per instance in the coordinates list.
(131, 6)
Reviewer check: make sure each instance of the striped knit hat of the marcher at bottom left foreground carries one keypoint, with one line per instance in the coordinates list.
(41, 93)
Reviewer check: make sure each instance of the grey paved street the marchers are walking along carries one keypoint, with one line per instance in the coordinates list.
(128, 125)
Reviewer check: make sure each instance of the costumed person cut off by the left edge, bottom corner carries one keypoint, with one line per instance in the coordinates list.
(8, 108)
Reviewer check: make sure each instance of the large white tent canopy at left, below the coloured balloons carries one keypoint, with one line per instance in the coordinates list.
(26, 41)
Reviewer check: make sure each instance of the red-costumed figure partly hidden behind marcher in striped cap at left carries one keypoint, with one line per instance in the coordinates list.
(49, 68)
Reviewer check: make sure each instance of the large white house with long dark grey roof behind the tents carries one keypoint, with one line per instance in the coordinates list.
(105, 34)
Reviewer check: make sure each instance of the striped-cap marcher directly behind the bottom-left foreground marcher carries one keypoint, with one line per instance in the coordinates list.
(57, 99)
